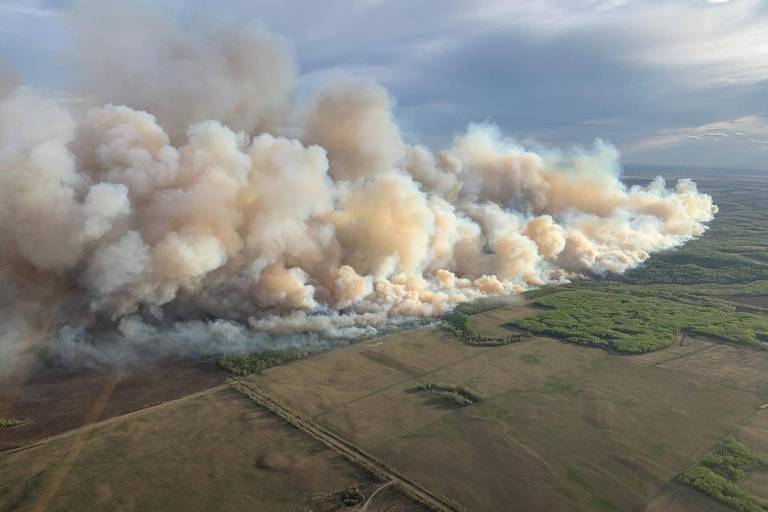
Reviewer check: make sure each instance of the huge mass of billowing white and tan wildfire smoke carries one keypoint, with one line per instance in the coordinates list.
(181, 213)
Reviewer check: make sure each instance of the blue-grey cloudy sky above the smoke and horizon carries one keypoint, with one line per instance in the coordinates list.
(682, 82)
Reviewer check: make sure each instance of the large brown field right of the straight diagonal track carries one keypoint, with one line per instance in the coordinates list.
(562, 427)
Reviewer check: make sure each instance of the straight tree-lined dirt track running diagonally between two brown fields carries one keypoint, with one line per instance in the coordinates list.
(348, 450)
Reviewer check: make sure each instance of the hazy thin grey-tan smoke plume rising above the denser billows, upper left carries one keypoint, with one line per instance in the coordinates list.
(240, 75)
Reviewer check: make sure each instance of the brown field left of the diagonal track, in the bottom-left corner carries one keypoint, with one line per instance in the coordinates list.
(212, 451)
